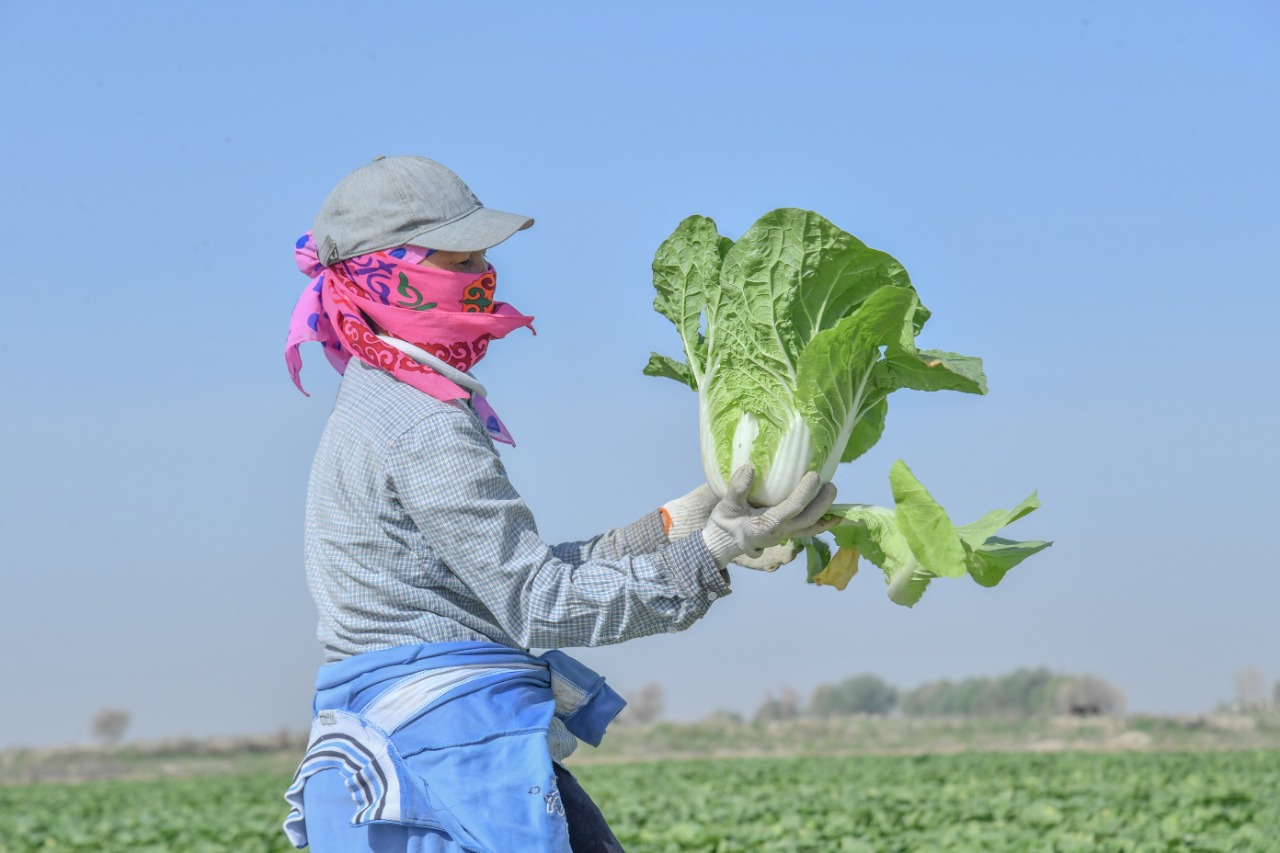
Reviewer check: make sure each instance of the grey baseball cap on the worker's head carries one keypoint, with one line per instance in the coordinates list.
(406, 202)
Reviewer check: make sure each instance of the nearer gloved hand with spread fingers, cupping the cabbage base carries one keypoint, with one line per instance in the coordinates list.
(737, 528)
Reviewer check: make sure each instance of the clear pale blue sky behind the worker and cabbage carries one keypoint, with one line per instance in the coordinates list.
(1085, 194)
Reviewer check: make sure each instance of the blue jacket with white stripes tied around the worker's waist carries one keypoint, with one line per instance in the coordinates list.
(452, 737)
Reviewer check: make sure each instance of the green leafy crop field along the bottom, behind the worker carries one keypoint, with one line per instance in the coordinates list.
(1212, 801)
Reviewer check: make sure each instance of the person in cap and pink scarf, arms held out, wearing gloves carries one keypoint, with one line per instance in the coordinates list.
(436, 728)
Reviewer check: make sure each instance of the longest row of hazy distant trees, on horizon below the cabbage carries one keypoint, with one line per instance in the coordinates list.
(1023, 694)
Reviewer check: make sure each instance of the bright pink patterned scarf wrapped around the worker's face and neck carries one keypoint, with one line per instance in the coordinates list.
(450, 316)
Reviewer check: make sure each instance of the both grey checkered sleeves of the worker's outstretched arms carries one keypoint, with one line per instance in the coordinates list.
(628, 583)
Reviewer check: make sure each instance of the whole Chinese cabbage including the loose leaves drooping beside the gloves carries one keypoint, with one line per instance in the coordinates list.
(794, 339)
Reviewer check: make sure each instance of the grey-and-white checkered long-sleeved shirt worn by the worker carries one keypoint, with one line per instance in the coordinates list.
(414, 535)
